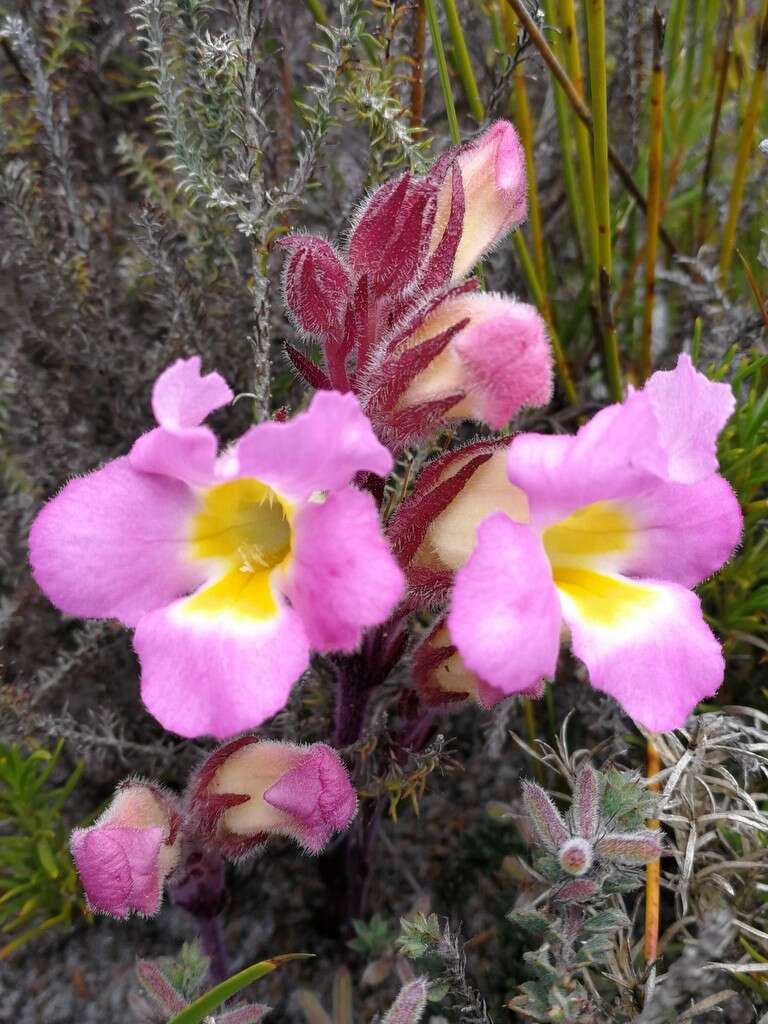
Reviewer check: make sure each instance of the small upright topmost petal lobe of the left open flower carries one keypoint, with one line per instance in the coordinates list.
(183, 398)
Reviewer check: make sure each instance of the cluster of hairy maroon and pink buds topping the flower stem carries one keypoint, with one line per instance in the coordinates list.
(396, 327)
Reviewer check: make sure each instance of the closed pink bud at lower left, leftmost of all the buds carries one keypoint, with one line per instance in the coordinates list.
(124, 859)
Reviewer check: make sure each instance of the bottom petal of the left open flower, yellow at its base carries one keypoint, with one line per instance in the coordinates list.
(211, 670)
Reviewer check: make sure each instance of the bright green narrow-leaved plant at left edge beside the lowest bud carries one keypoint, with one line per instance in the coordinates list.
(39, 889)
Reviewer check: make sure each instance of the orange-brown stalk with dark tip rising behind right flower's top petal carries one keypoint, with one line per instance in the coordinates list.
(655, 193)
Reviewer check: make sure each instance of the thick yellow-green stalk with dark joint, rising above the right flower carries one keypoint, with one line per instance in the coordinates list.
(596, 49)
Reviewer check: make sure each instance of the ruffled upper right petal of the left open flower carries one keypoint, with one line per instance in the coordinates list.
(320, 450)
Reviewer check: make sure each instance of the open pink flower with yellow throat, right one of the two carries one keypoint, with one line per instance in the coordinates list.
(608, 532)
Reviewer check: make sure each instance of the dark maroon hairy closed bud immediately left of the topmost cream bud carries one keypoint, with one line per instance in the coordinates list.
(393, 233)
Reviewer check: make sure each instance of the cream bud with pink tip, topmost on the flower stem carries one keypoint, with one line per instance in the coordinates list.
(493, 170)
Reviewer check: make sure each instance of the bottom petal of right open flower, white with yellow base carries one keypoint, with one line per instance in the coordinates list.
(646, 644)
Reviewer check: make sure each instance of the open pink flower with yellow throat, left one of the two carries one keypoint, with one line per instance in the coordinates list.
(230, 568)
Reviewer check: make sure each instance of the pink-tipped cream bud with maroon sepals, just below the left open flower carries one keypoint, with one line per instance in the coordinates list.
(251, 789)
